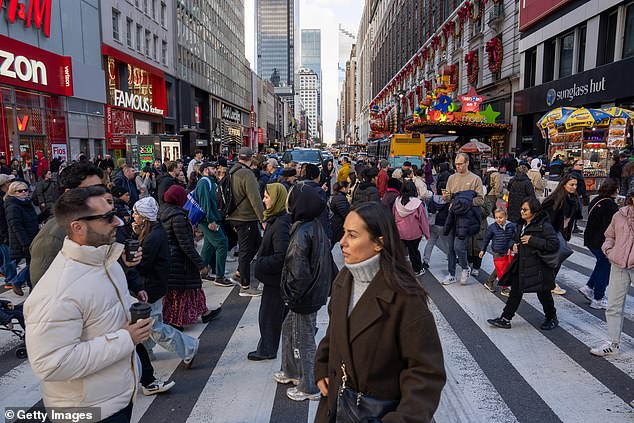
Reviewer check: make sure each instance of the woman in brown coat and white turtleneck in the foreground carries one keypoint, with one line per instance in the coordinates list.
(380, 328)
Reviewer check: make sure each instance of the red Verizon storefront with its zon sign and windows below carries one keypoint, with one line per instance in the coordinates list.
(33, 87)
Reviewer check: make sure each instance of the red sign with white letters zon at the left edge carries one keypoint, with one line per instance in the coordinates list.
(29, 67)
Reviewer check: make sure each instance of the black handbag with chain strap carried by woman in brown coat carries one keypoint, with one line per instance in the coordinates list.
(356, 407)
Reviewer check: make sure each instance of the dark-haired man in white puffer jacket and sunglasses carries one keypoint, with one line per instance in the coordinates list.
(80, 343)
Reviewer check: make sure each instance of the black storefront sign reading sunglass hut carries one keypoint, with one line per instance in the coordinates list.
(600, 85)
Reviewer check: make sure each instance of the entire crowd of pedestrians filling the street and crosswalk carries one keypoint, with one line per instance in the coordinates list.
(189, 219)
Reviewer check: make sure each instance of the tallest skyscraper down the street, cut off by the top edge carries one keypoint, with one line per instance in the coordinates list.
(277, 37)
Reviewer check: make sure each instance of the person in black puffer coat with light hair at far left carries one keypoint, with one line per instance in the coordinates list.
(22, 222)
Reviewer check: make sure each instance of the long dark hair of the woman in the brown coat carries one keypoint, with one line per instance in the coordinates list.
(380, 223)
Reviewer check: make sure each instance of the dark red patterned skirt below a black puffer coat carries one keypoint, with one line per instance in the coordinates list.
(184, 307)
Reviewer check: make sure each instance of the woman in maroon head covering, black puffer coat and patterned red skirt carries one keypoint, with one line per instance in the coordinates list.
(185, 300)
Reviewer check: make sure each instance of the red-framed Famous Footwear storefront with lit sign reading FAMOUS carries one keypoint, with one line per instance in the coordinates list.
(136, 104)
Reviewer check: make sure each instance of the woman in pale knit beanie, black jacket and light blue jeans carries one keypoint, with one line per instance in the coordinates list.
(154, 270)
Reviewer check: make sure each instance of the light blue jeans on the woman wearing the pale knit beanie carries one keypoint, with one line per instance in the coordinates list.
(168, 337)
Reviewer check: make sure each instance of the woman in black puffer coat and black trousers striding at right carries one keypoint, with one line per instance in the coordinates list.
(534, 237)
